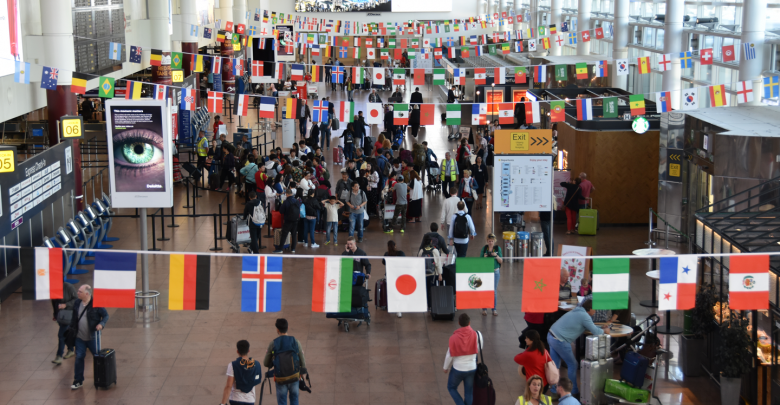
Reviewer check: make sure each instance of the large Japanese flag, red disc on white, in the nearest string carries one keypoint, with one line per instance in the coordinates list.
(406, 291)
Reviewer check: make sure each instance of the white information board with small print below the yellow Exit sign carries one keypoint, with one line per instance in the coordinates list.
(522, 183)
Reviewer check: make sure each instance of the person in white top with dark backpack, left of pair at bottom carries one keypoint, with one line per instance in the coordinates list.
(242, 376)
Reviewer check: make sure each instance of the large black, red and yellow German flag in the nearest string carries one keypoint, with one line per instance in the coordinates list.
(189, 282)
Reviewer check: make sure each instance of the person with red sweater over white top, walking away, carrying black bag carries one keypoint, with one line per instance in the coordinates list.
(464, 344)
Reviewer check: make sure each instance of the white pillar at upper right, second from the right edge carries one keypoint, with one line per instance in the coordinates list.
(673, 35)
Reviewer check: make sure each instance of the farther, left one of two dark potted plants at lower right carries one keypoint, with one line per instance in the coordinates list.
(693, 348)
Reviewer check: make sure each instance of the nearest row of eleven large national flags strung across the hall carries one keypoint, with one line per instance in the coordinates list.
(114, 284)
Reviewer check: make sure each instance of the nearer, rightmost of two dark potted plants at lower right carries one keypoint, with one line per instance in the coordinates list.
(734, 355)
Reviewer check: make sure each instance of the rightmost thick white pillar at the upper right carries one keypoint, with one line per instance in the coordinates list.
(753, 26)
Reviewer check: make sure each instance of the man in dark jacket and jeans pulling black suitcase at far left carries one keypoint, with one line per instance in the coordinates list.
(89, 321)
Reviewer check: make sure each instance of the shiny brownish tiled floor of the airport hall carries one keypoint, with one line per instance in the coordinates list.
(182, 358)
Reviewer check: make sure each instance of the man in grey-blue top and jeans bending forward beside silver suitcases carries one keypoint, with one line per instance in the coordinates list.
(565, 331)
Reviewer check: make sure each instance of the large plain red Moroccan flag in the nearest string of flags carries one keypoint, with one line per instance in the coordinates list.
(541, 285)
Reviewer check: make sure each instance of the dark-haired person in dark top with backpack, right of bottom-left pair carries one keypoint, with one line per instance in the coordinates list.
(285, 356)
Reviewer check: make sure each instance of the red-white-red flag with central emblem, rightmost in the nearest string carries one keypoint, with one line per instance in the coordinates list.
(749, 282)
